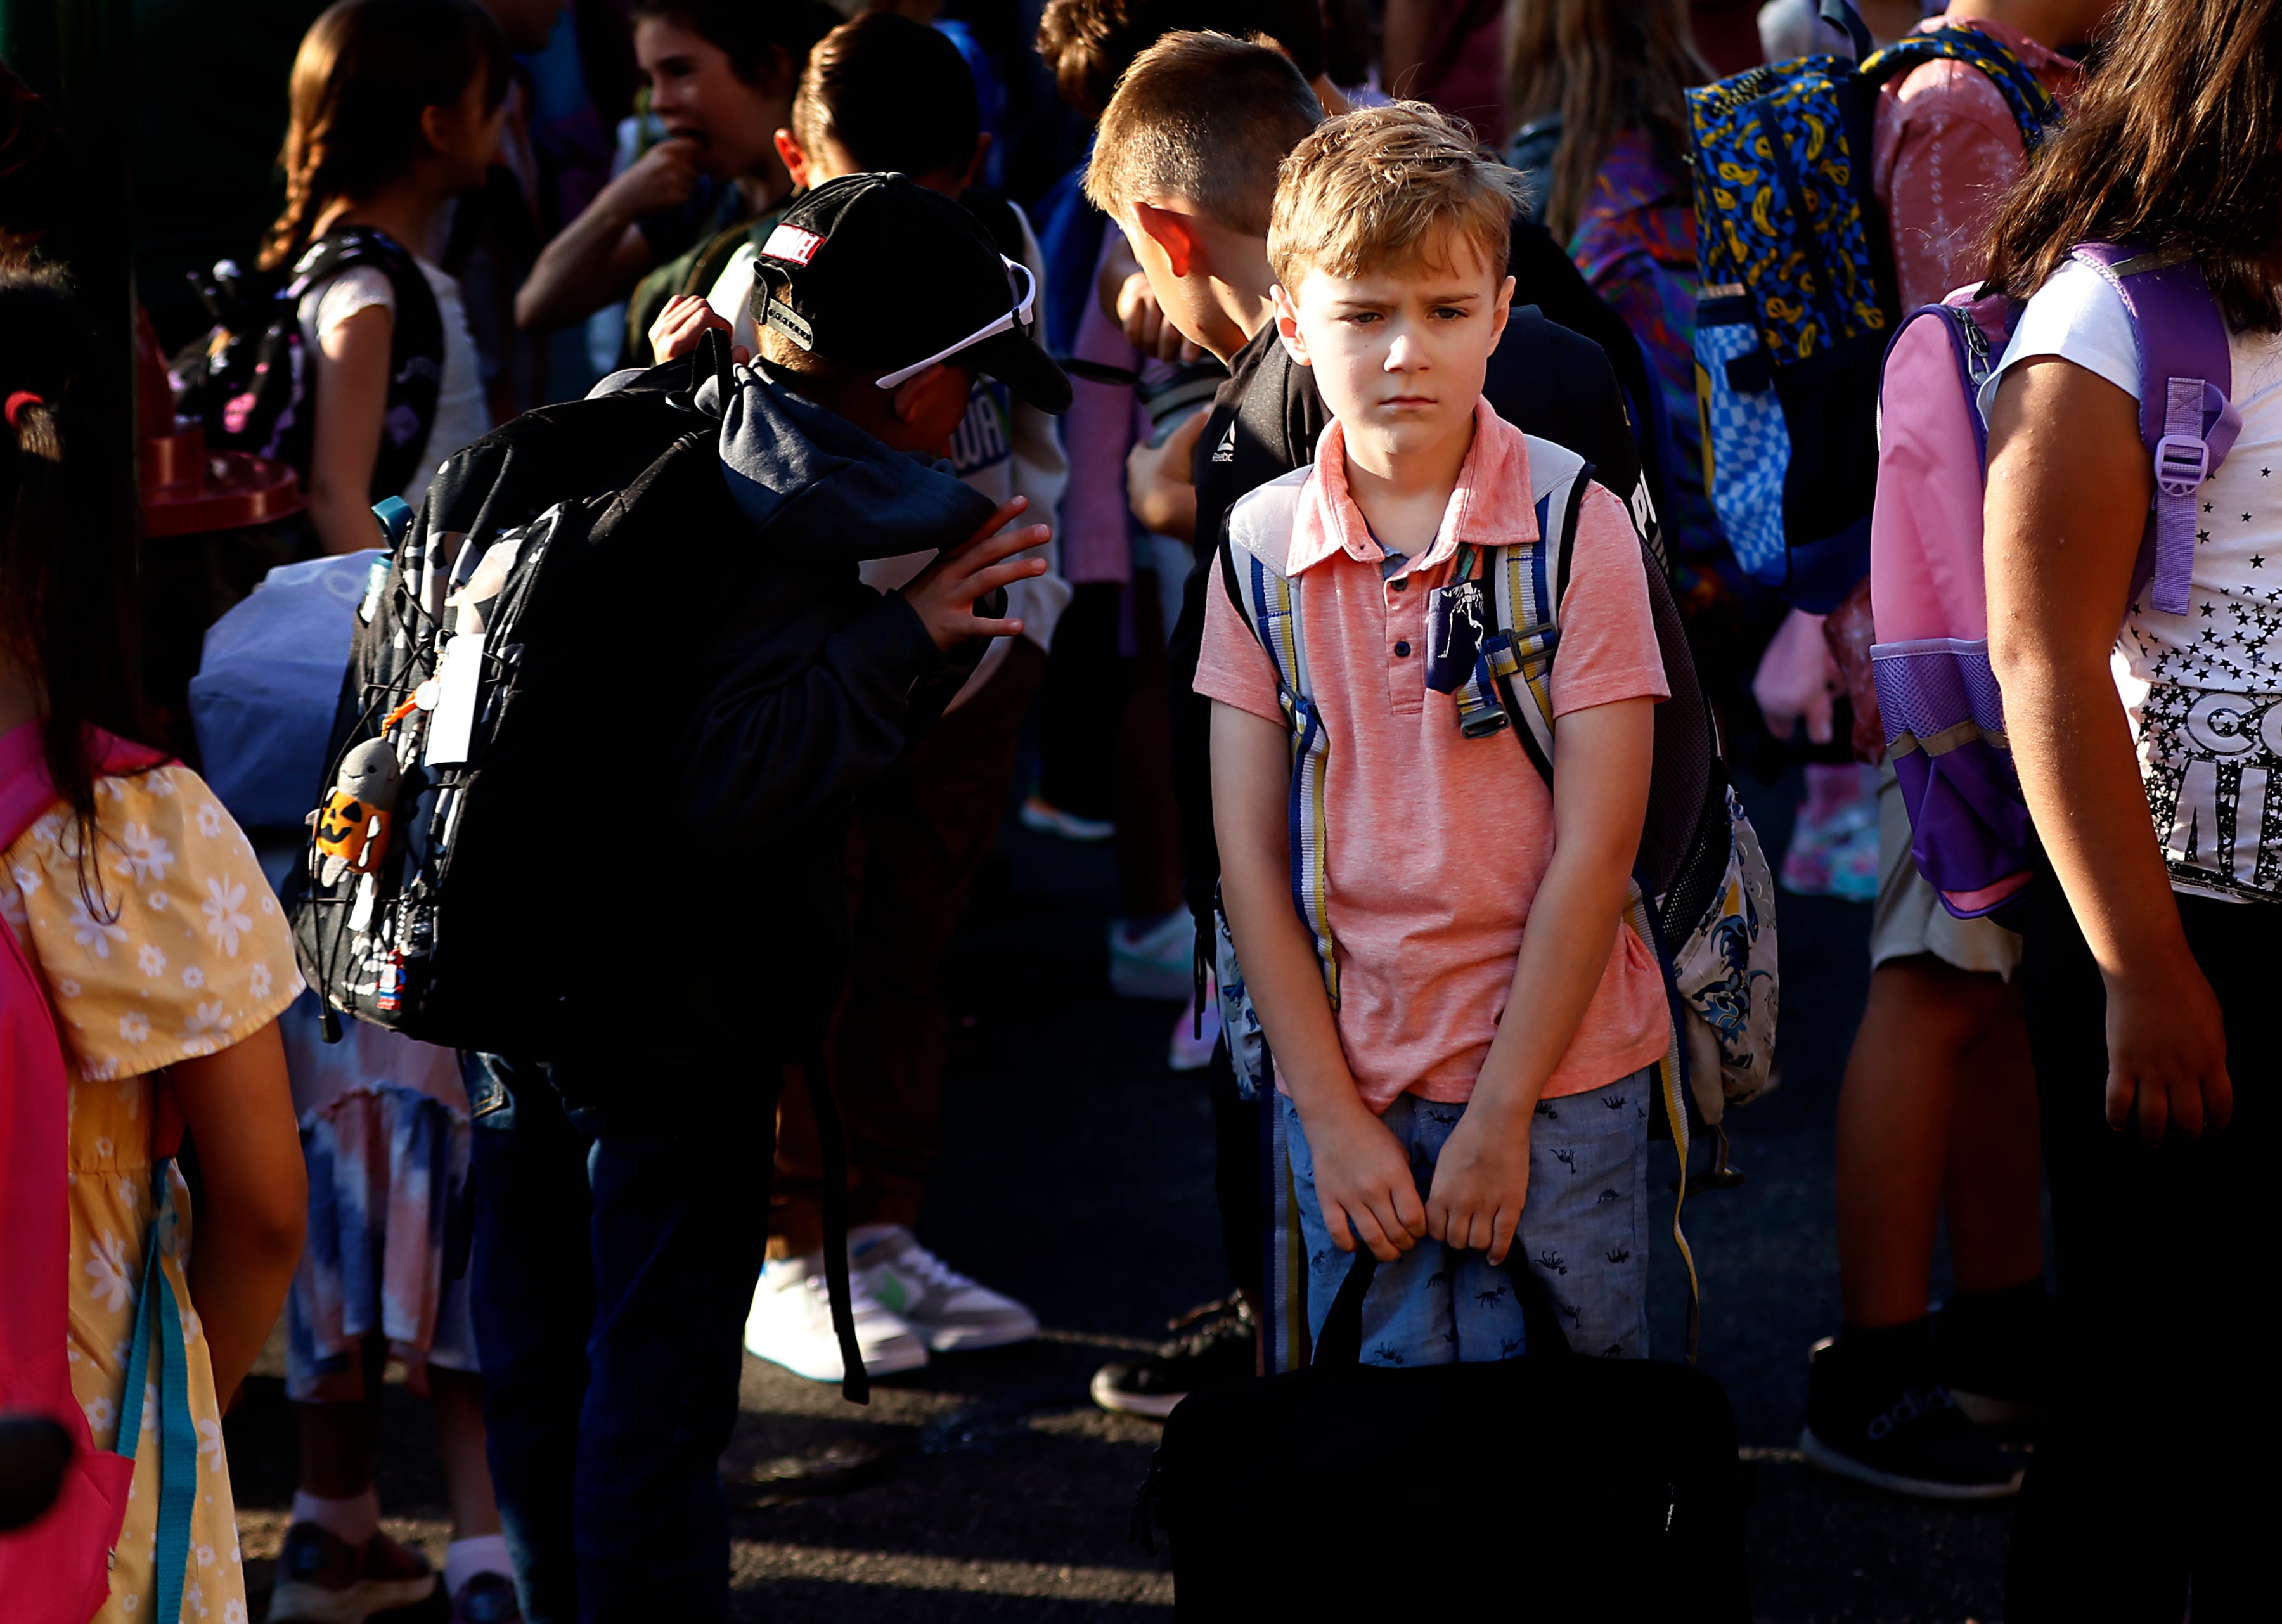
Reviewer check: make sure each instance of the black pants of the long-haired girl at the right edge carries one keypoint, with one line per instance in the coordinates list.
(2155, 1479)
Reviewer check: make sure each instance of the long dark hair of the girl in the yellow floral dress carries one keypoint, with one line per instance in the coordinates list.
(65, 551)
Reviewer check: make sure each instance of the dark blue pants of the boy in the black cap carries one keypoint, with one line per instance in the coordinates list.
(615, 1262)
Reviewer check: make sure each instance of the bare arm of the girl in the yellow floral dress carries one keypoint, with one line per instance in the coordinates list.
(248, 1233)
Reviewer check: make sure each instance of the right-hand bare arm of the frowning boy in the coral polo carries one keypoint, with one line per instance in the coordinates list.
(1601, 799)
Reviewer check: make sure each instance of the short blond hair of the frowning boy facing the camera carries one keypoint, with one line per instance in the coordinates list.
(1389, 188)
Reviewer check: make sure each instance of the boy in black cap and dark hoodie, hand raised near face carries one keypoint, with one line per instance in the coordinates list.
(613, 1356)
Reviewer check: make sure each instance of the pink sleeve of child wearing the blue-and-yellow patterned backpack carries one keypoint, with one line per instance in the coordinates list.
(1943, 154)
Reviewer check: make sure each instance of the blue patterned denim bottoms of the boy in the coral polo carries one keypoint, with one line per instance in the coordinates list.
(1585, 1233)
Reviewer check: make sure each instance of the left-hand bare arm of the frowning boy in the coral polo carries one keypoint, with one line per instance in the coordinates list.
(1361, 1174)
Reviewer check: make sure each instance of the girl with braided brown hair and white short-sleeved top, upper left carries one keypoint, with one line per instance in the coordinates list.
(396, 113)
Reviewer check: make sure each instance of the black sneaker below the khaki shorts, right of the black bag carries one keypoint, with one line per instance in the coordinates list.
(1895, 1427)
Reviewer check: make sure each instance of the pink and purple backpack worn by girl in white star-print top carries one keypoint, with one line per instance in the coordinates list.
(1943, 710)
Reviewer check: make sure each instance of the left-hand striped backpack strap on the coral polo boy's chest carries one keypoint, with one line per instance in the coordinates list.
(1254, 553)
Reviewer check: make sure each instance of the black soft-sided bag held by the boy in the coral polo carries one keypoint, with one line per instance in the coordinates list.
(1567, 1488)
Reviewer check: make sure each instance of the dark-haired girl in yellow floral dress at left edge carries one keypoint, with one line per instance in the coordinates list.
(165, 959)
